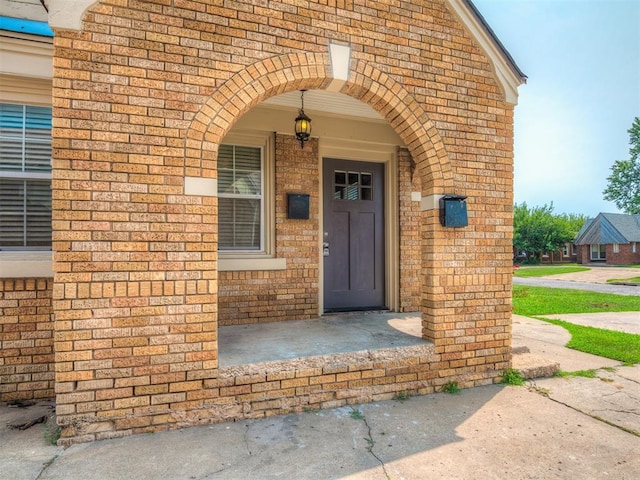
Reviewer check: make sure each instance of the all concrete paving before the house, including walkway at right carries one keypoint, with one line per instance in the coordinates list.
(553, 428)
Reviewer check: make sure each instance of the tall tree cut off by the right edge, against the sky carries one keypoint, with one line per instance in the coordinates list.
(623, 185)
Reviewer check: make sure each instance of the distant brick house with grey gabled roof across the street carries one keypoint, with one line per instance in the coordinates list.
(610, 238)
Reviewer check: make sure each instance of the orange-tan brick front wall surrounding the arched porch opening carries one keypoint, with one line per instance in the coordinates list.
(143, 96)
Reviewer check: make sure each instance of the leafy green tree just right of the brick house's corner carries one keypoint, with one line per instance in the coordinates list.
(537, 230)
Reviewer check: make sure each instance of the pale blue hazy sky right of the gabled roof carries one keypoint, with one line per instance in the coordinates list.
(582, 60)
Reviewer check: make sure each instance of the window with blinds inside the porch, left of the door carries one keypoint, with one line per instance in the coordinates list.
(240, 198)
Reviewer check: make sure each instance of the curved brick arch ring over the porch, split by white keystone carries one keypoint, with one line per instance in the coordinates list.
(310, 71)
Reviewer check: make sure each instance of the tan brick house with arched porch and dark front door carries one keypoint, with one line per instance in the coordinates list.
(182, 201)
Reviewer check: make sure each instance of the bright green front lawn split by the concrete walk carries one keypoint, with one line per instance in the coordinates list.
(540, 301)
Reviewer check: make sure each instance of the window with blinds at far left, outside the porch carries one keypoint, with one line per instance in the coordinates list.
(25, 177)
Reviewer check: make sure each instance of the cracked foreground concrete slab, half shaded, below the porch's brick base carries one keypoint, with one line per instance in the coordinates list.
(487, 432)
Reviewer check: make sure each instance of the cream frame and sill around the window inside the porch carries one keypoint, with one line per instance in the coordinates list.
(264, 259)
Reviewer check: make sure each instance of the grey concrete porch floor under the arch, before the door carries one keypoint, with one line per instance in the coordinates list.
(328, 335)
